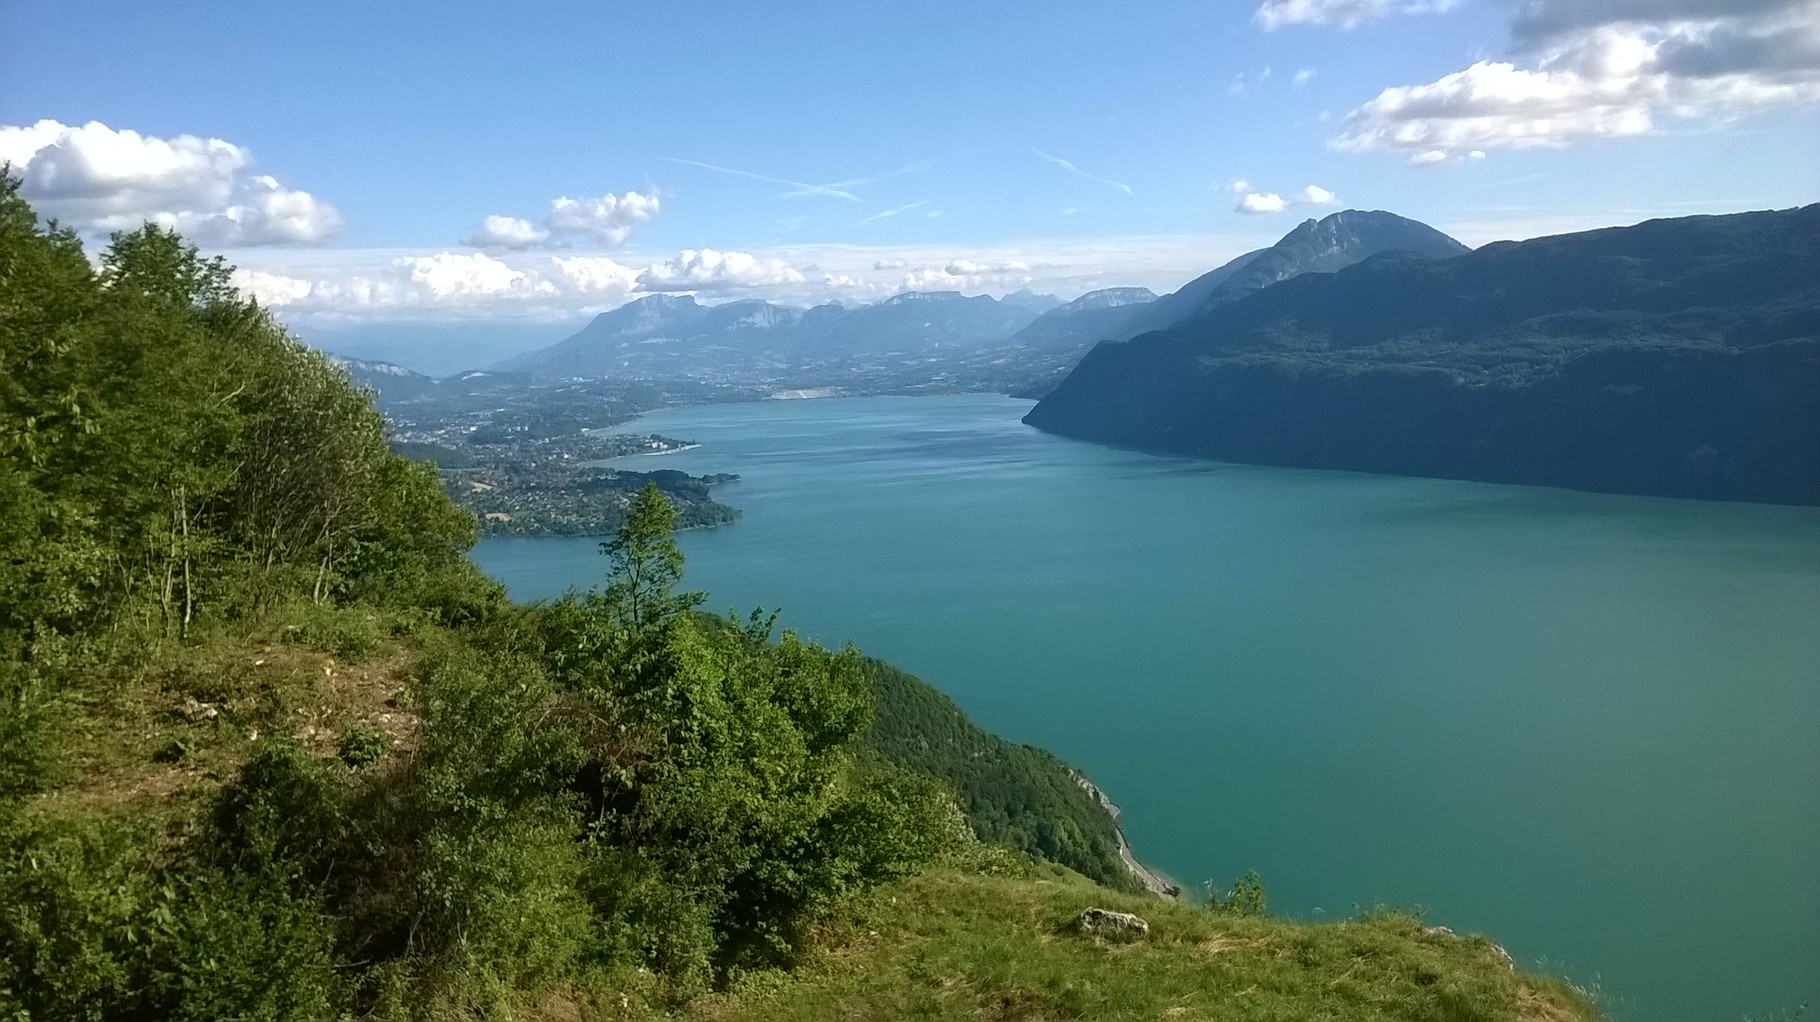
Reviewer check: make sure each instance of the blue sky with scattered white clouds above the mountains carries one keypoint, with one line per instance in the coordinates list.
(349, 155)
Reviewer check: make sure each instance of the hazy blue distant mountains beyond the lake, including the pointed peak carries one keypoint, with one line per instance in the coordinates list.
(1040, 336)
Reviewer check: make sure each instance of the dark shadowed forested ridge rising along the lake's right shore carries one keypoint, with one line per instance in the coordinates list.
(1677, 359)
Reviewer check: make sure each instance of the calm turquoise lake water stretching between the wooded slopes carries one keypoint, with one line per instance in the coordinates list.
(1582, 725)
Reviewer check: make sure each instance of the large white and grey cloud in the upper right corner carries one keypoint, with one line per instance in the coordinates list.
(1608, 70)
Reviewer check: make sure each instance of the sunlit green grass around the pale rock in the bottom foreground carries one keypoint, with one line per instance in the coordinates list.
(1002, 948)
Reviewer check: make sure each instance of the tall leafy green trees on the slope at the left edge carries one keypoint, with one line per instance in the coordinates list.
(168, 452)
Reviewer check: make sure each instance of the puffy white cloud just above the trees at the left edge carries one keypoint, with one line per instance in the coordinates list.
(103, 179)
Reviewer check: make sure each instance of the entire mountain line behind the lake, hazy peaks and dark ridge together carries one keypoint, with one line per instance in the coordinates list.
(1675, 357)
